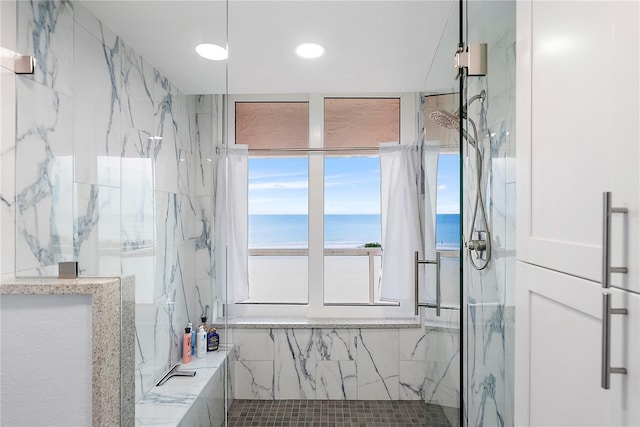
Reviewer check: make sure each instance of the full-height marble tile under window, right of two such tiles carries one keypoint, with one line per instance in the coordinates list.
(377, 366)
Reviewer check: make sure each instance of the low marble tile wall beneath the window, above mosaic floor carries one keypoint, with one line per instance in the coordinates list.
(347, 364)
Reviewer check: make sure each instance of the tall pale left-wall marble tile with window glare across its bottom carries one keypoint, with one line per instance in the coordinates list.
(96, 110)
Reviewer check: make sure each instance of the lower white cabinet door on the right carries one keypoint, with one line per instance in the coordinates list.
(558, 352)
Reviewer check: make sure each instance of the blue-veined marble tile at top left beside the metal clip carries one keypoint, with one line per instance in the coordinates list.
(45, 31)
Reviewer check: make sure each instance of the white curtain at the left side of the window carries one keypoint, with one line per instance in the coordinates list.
(237, 288)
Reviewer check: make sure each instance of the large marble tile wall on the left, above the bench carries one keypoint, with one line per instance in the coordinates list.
(111, 167)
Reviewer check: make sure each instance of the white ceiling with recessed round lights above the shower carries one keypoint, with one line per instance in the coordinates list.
(371, 46)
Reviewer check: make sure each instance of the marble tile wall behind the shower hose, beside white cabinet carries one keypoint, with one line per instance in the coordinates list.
(490, 316)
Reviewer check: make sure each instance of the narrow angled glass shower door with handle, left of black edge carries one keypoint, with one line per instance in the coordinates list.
(441, 104)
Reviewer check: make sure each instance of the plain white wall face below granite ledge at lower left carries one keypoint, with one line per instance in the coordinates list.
(40, 386)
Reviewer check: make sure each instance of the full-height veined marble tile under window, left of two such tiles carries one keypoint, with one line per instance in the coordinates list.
(295, 364)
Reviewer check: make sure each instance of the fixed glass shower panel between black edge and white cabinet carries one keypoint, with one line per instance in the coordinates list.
(488, 213)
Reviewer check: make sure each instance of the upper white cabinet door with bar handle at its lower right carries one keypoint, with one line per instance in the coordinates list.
(578, 134)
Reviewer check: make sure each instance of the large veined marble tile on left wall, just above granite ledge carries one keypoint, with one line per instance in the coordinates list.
(44, 178)
